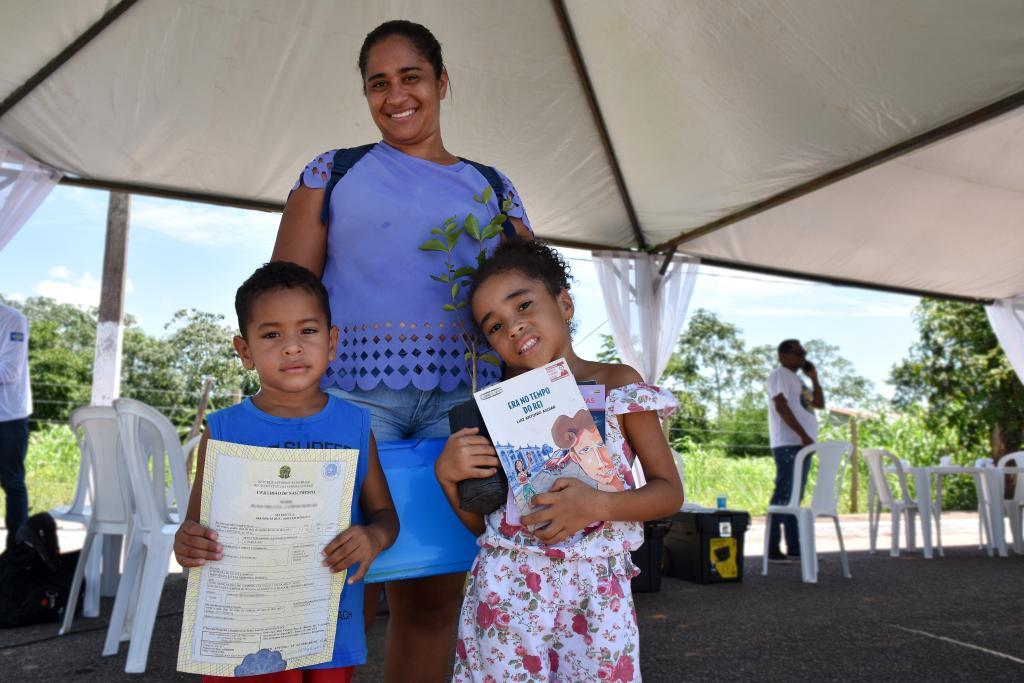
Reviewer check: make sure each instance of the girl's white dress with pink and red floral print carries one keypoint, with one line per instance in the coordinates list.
(564, 613)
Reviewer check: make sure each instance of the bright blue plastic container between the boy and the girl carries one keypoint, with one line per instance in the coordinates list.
(432, 540)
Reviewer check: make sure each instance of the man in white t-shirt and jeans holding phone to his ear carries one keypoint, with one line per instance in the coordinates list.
(792, 425)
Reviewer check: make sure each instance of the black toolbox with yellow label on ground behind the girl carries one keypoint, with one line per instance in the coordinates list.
(707, 547)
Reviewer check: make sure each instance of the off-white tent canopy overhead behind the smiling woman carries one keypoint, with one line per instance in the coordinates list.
(646, 125)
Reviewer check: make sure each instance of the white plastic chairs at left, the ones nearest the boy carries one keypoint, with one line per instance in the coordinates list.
(151, 445)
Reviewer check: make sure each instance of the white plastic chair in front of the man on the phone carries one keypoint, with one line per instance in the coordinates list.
(833, 457)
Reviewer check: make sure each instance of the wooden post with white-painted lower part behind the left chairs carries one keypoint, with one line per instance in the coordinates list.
(110, 328)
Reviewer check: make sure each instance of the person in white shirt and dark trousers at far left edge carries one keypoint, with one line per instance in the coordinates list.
(16, 407)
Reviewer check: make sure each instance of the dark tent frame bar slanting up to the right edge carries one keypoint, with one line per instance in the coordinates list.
(911, 145)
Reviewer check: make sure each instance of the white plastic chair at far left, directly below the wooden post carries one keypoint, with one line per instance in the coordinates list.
(97, 426)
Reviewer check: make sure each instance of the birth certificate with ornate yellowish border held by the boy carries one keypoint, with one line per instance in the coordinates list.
(270, 605)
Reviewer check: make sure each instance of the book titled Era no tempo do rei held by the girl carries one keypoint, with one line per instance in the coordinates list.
(543, 432)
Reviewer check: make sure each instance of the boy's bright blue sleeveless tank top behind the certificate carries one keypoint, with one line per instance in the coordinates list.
(339, 425)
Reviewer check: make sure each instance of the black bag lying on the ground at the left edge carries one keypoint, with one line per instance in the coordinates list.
(35, 579)
